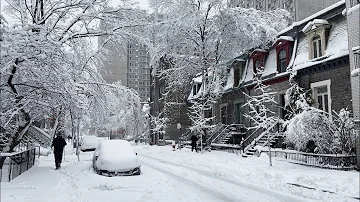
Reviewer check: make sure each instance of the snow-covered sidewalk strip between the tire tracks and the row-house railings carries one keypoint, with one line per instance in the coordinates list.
(322, 184)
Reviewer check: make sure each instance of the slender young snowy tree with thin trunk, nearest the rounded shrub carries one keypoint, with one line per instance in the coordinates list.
(259, 112)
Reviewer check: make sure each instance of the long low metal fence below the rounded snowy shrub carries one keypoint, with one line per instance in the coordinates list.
(330, 161)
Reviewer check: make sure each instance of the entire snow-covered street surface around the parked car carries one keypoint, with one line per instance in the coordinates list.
(181, 176)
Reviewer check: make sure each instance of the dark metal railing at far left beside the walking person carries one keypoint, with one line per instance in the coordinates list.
(15, 163)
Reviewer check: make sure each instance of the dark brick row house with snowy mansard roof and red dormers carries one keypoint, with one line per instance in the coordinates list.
(316, 49)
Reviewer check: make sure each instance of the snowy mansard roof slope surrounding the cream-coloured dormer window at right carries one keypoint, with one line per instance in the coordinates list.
(337, 47)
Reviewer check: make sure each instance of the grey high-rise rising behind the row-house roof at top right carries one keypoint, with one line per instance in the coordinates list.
(299, 9)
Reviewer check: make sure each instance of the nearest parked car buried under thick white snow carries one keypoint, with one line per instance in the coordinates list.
(116, 157)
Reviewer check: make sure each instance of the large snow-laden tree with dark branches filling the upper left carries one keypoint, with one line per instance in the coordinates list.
(47, 63)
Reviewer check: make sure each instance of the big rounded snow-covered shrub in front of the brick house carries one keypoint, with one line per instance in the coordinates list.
(313, 126)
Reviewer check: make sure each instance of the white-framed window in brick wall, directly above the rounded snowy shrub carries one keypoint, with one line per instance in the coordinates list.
(321, 95)
